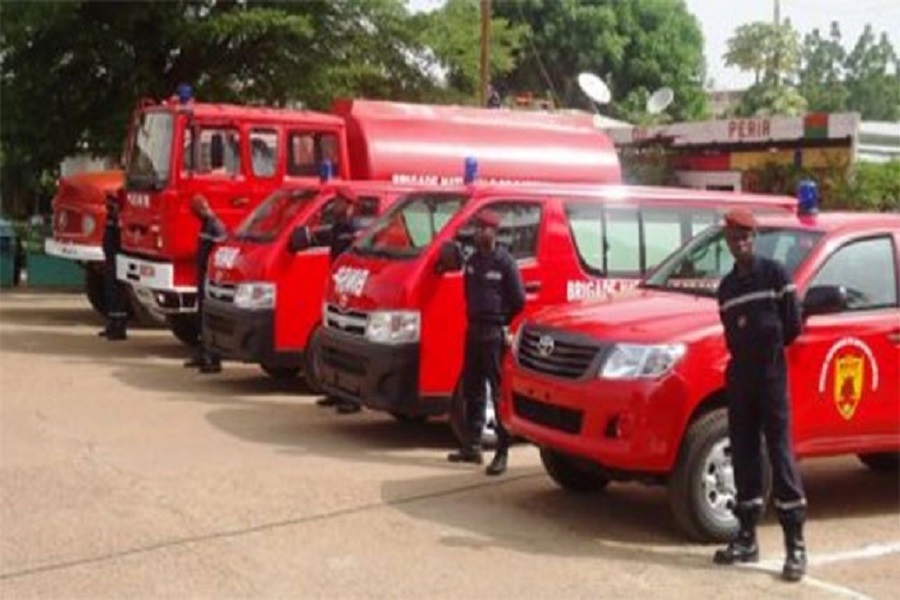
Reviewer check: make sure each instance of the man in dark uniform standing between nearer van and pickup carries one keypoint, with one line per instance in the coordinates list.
(495, 294)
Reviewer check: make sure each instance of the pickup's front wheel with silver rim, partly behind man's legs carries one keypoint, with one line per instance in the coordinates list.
(702, 491)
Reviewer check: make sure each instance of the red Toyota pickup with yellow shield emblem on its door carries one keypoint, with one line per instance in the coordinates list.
(632, 386)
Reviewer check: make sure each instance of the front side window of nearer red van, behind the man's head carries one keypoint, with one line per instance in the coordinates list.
(518, 231)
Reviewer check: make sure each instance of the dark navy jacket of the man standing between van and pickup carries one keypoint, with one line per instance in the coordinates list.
(494, 290)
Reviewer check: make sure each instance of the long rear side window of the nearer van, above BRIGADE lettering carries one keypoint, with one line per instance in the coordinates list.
(617, 241)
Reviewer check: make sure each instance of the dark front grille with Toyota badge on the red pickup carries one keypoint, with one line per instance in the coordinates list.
(556, 353)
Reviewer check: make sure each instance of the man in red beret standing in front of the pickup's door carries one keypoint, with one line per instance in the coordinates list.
(758, 307)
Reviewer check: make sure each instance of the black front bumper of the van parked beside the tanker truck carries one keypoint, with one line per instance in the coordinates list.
(244, 335)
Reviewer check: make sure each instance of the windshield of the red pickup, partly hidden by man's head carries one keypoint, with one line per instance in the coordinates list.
(699, 265)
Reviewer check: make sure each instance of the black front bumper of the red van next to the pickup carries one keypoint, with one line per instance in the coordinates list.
(378, 376)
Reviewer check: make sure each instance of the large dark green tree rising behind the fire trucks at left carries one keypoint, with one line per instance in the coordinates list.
(73, 70)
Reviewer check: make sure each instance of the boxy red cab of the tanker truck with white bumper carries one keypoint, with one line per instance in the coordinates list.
(235, 156)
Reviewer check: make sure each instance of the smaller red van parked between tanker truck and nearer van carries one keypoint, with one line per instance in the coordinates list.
(266, 282)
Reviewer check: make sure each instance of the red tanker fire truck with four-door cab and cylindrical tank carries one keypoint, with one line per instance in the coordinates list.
(236, 156)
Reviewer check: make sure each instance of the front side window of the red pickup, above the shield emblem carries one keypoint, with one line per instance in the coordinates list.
(866, 269)
